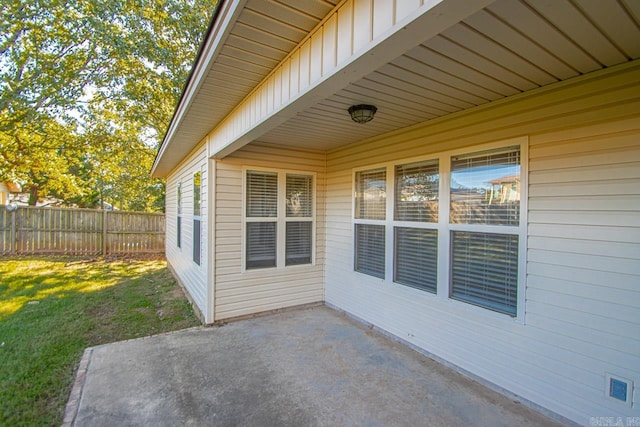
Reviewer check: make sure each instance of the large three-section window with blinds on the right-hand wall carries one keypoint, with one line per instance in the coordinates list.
(459, 211)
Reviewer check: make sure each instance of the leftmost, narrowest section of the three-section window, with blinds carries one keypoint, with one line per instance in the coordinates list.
(370, 213)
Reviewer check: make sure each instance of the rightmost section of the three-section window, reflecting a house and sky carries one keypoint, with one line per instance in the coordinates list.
(485, 191)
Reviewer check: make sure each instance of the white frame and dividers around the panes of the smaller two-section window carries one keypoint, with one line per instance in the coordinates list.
(281, 219)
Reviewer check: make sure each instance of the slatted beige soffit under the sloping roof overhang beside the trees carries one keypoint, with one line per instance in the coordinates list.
(259, 34)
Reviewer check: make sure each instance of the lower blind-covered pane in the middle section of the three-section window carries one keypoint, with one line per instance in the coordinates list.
(416, 258)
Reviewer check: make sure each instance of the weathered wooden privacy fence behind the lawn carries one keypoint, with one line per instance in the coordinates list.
(33, 230)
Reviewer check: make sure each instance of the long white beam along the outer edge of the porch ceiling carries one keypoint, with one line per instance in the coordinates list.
(431, 19)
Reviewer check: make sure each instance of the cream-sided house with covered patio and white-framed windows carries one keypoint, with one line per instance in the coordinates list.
(276, 198)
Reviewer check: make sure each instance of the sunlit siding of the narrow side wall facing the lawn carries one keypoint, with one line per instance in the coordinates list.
(192, 276)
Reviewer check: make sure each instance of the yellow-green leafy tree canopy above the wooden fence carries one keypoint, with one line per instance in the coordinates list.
(87, 90)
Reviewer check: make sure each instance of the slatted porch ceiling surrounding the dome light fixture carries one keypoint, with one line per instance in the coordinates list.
(510, 47)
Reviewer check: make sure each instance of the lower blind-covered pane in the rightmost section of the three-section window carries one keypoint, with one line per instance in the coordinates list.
(484, 270)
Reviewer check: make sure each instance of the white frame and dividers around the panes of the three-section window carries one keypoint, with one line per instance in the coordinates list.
(444, 228)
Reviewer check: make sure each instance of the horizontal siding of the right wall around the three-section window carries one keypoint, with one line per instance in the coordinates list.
(583, 291)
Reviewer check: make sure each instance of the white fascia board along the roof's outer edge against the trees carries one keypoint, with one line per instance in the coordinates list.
(225, 21)
